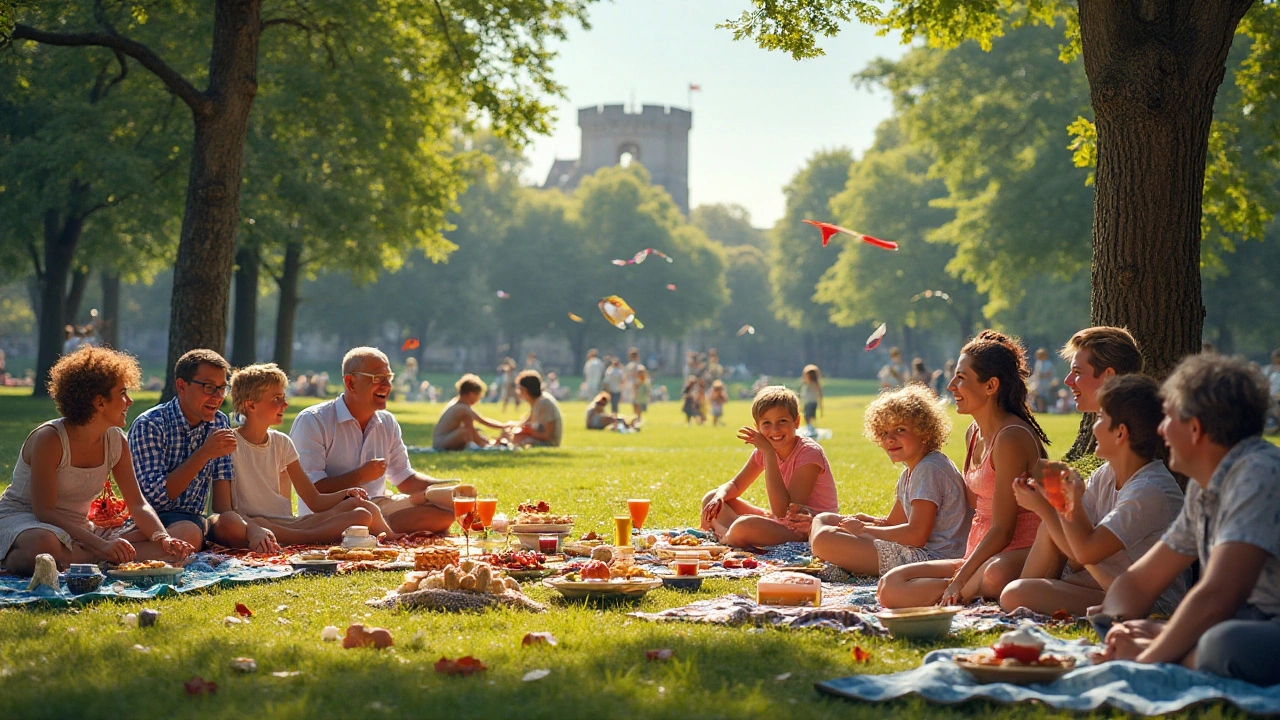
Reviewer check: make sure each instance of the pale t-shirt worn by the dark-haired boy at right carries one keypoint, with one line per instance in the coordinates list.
(1139, 514)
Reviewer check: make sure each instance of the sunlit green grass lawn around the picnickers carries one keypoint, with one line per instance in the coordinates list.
(85, 664)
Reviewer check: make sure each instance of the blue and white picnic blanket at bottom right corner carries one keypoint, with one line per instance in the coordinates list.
(1132, 687)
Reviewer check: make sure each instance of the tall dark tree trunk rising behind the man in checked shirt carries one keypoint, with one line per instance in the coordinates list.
(203, 274)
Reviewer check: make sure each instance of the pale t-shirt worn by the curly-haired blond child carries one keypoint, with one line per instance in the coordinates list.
(936, 480)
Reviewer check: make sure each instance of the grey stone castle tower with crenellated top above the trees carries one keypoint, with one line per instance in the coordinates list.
(657, 138)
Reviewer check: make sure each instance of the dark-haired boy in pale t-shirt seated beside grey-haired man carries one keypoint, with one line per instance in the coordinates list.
(1103, 528)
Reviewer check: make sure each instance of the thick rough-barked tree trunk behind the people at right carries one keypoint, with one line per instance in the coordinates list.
(1154, 70)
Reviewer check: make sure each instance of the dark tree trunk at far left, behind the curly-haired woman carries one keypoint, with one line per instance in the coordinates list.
(62, 236)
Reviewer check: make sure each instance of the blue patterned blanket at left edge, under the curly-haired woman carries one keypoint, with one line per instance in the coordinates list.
(199, 575)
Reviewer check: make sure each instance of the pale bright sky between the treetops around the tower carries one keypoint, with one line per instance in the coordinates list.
(760, 115)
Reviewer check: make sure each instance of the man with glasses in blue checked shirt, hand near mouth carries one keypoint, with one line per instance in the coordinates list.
(184, 446)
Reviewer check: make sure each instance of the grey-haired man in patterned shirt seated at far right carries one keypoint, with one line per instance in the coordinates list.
(1229, 623)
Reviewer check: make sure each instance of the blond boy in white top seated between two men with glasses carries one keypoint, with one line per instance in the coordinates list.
(257, 508)
